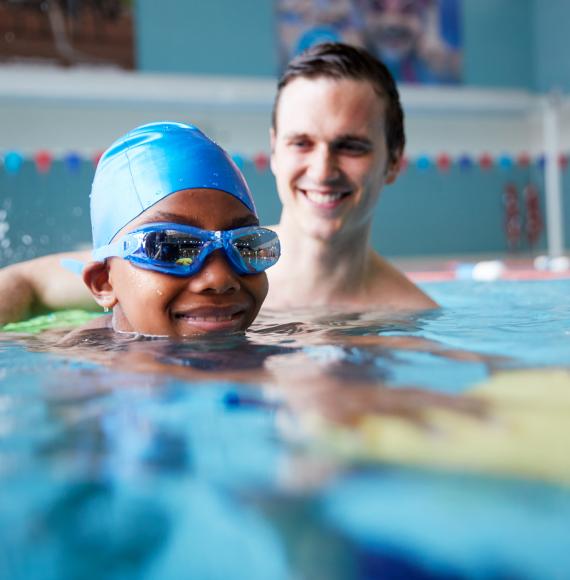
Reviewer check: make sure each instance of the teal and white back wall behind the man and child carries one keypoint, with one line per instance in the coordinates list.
(426, 212)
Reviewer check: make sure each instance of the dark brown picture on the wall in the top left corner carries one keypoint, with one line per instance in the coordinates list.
(67, 32)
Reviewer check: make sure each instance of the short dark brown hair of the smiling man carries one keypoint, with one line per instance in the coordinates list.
(336, 60)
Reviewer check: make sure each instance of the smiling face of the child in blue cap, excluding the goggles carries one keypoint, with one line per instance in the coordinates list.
(214, 300)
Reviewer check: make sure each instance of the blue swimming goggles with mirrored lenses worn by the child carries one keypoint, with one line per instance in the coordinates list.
(181, 250)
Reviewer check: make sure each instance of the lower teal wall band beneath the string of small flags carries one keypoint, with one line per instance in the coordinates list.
(425, 212)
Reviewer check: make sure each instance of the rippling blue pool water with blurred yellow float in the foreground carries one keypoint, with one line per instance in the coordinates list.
(318, 446)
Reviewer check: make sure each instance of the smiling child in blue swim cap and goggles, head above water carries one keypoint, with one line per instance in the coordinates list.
(178, 249)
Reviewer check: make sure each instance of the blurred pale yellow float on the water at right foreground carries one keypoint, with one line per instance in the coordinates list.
(524, 433)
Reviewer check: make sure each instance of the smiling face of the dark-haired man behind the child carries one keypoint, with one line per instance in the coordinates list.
(329, 155)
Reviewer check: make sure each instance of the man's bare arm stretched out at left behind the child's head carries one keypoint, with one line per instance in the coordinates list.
(42, 285)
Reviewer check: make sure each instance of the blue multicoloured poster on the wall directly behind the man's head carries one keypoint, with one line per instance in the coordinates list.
(419, 40)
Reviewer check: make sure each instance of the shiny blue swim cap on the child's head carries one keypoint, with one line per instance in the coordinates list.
(150, 163)
